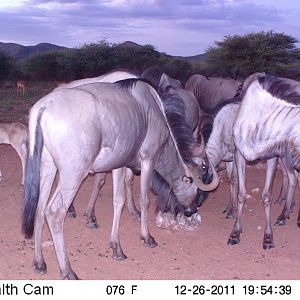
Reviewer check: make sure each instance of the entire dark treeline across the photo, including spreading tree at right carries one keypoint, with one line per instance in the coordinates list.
(236, 56)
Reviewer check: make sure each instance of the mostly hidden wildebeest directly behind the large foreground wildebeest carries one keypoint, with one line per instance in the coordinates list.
(172, 90)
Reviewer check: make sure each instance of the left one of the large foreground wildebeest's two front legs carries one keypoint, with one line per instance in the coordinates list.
(118, 204)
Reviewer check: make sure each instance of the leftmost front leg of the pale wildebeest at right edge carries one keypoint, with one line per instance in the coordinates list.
(234, 237)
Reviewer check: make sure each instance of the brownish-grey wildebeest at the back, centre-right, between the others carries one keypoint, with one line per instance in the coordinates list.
(211, 92)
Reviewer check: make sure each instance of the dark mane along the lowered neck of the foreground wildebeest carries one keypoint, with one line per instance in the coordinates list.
(175, 113)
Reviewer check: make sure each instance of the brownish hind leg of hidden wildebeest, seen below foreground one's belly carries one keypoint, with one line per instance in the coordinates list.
(90, 210)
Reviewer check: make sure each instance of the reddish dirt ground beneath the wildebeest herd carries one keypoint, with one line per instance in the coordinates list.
(202, 254)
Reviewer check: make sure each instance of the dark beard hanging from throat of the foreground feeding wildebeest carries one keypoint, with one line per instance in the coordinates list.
(166, 199)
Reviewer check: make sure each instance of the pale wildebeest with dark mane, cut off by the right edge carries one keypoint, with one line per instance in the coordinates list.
(267, 126)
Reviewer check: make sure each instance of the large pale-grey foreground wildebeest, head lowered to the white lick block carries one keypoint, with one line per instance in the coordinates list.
(120, 125)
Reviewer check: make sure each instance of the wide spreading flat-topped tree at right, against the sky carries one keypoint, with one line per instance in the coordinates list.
(254, 52)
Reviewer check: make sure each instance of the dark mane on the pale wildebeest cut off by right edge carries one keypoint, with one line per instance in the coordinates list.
(280, 88)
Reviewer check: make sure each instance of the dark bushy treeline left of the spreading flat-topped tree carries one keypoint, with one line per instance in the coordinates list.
(91, 60)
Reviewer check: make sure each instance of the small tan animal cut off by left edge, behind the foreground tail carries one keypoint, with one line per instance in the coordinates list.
(15, 134)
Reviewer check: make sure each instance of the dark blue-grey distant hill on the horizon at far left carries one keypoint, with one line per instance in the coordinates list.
(18, 51)
